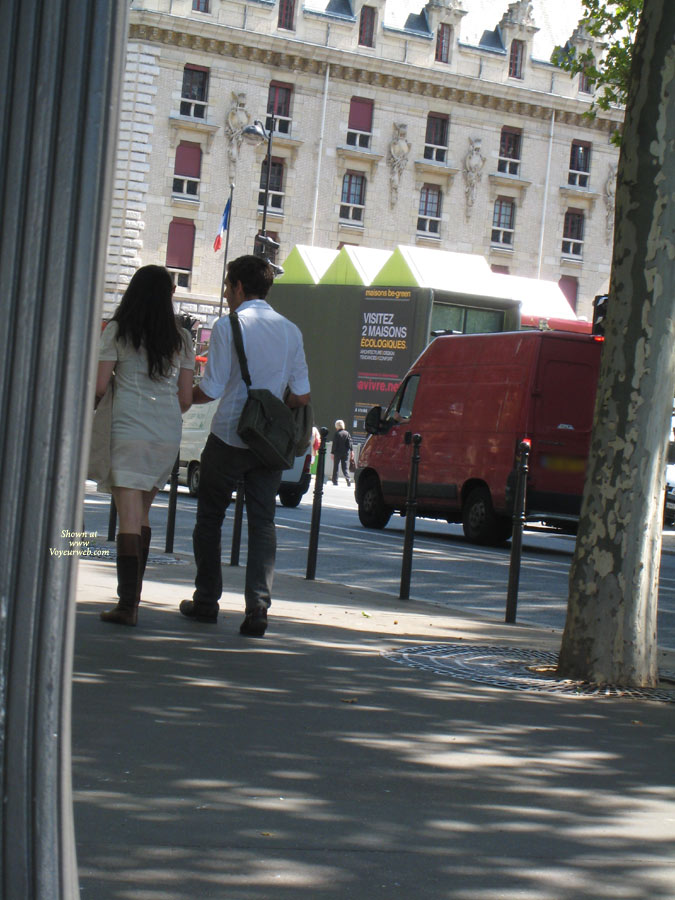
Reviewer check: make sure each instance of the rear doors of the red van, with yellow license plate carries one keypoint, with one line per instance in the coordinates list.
(562, 418)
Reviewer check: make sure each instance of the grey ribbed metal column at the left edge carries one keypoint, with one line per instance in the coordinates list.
(60, 74)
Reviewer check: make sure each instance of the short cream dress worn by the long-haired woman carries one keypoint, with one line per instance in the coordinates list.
(146, 417)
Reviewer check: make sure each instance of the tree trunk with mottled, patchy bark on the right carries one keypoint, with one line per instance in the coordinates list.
(610, 632)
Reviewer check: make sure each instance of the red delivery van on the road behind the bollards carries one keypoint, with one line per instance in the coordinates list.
(473, 398)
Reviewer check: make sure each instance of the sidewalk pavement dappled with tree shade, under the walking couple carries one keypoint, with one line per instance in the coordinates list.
(307, 766)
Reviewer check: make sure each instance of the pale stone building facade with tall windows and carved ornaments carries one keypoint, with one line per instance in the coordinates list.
(389, 129)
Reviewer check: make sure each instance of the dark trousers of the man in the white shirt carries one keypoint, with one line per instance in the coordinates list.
(220, 469)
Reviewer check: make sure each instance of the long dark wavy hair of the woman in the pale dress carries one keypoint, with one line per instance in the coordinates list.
(145, 317)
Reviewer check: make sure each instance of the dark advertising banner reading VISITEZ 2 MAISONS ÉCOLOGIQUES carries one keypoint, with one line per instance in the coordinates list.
(385, 349)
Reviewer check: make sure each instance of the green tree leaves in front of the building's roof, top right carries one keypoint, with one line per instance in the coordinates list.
(613, 24)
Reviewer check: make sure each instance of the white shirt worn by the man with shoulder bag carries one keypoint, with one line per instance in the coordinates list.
(275, 356)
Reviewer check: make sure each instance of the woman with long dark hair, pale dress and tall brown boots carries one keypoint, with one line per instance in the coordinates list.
(153, 360)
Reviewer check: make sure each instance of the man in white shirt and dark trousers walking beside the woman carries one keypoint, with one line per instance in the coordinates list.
(276, 360)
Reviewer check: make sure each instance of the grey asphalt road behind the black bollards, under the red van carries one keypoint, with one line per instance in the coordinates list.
(446, 569)
